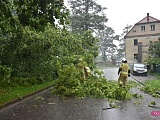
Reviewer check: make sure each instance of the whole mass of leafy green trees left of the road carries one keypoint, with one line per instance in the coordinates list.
(32, 47)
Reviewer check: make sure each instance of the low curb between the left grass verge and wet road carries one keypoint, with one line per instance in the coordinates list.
(24, 97)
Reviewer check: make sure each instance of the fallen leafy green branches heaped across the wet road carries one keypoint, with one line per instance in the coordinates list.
(71, 83)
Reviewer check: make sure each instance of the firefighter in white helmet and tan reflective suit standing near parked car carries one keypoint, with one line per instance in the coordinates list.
(124, 72)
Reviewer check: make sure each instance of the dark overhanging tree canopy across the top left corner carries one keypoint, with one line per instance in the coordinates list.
(34, 13)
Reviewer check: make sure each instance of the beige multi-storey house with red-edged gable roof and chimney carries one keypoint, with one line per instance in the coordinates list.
(137, 40)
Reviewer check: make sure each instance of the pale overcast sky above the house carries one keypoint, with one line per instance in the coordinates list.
(123, 12)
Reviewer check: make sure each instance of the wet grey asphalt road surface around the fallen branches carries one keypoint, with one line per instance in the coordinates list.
(45, 106)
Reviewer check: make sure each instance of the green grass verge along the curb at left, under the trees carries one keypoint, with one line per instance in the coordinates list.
(13, 93)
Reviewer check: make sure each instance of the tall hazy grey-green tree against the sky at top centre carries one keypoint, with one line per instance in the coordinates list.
(86, 15)
